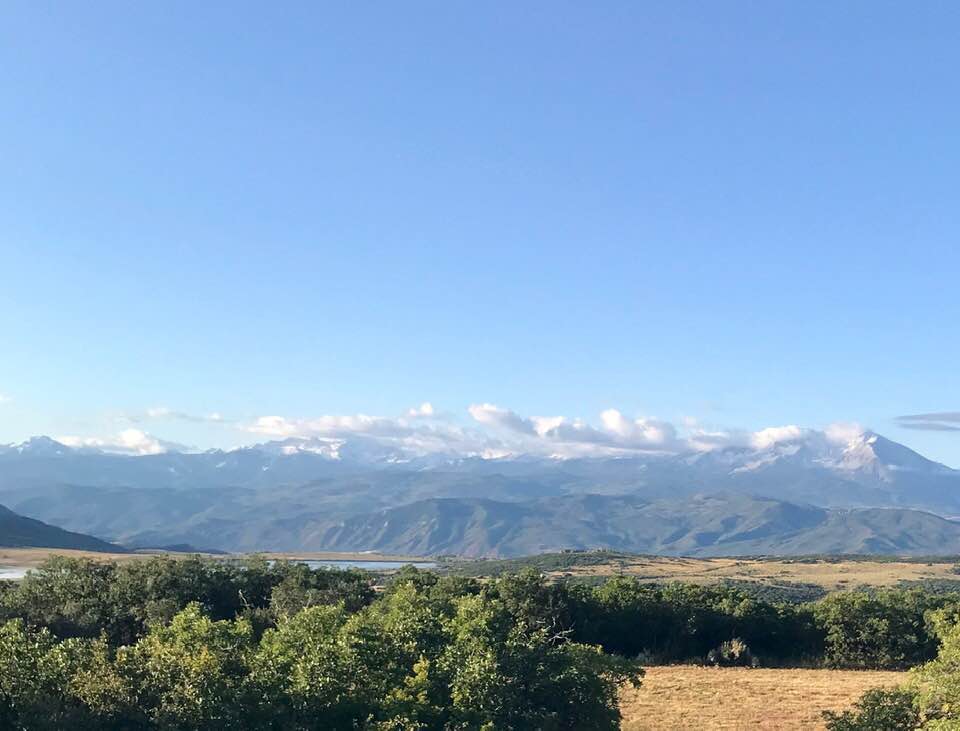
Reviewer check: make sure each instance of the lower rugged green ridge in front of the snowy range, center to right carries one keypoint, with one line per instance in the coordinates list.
(714, 525)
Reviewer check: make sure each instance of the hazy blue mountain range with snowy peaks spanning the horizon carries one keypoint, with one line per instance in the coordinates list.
(788, 491)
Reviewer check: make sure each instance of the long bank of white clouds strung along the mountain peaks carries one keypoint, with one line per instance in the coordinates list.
(486, 430)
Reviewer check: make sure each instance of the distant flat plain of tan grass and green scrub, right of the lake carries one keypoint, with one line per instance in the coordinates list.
(829, 573)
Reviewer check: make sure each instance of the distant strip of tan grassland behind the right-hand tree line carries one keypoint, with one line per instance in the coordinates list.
(830, 574)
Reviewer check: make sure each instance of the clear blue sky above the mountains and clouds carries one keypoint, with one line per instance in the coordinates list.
(715, 216)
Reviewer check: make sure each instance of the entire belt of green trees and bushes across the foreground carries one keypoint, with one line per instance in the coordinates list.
(208, 644)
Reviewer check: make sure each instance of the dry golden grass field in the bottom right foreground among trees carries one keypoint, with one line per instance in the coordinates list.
(696, 697)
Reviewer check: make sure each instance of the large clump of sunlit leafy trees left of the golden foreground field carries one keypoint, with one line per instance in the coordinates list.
(197, 644)
